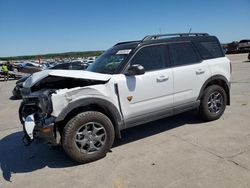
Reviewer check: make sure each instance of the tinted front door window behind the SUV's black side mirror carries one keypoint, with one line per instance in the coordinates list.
(151, 57)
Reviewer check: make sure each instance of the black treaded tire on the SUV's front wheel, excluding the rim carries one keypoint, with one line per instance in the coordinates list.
(71, 128)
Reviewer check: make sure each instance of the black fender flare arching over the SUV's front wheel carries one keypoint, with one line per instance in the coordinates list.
(113, 111)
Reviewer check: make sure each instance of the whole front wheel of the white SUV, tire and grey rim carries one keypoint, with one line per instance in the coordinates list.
(88, 136)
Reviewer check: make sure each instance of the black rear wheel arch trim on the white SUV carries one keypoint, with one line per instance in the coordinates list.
(218, 80)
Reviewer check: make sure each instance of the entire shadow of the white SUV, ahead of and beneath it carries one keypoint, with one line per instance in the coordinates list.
(17, 158)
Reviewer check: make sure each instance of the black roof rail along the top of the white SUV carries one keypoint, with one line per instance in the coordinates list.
(156, 37)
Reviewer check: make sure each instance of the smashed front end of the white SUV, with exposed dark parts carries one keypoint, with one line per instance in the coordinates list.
(37, 123)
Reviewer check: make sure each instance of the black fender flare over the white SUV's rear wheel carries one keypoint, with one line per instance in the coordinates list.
(217, 78)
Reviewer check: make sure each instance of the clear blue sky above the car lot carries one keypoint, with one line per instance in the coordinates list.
(29, 27)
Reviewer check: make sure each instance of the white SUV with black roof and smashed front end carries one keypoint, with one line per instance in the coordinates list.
(130, 84)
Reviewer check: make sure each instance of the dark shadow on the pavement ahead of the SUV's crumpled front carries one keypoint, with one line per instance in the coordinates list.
(17, 158)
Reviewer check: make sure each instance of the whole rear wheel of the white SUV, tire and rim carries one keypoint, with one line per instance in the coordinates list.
(213, 103)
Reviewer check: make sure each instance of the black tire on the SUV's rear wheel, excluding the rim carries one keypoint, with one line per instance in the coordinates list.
(204, 109)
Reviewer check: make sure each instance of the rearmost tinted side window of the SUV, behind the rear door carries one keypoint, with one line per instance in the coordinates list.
(209, 50)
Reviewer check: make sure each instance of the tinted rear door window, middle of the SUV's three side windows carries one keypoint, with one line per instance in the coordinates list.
(183, 54)
